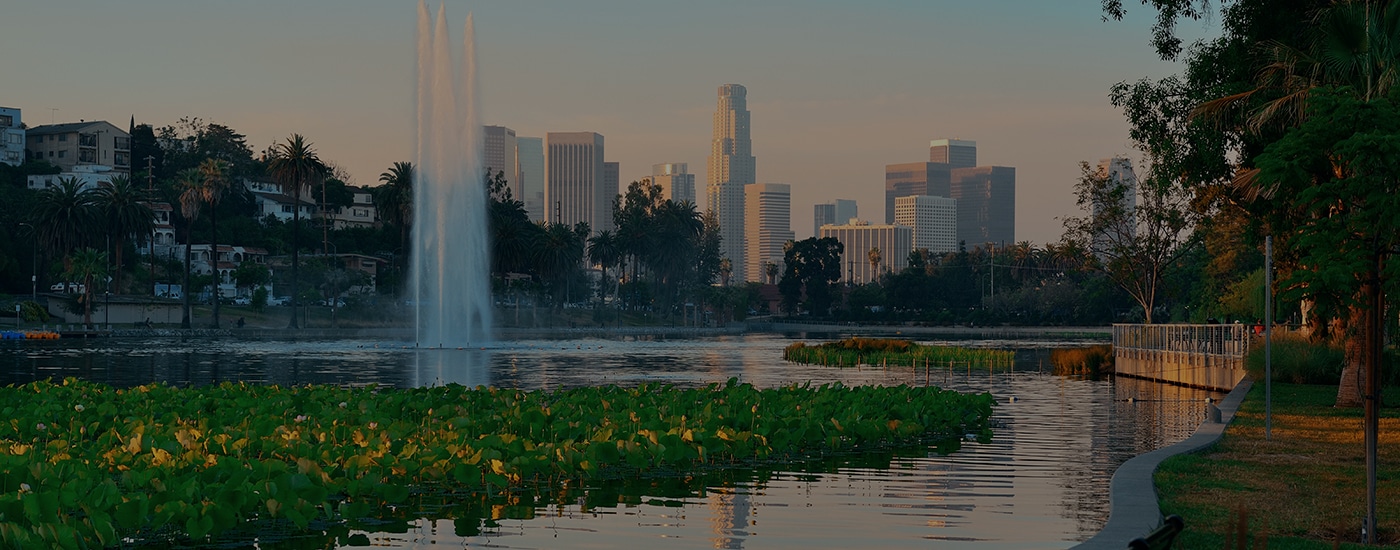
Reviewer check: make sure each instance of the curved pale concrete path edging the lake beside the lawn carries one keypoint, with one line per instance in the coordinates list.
(1133, 510)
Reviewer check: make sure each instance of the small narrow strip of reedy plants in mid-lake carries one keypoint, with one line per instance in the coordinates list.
(891, 353)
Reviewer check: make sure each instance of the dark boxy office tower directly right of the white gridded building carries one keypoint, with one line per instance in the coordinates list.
(986, 205)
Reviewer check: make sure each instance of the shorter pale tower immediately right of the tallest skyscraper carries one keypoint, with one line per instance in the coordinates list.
(769, 218)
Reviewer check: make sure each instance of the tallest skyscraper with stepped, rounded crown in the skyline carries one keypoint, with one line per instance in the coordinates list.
(730, 167)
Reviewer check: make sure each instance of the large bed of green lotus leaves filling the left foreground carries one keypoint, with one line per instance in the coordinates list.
(86, 464)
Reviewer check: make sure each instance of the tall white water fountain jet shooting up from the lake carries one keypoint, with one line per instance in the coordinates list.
(450, 254)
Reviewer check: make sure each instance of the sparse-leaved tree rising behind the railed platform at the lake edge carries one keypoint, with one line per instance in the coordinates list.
(1132, 243)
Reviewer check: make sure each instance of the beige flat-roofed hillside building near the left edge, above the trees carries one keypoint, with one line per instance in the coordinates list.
(79, 145)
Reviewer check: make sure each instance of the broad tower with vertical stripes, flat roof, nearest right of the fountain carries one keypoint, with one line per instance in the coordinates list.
(575, 178)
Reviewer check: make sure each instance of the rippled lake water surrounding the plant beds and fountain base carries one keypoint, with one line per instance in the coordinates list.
(1042, 482)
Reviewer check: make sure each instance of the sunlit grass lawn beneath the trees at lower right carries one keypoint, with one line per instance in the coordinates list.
(1305, 489)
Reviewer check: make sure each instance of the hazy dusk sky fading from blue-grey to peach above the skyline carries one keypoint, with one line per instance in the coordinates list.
(836, 90)
